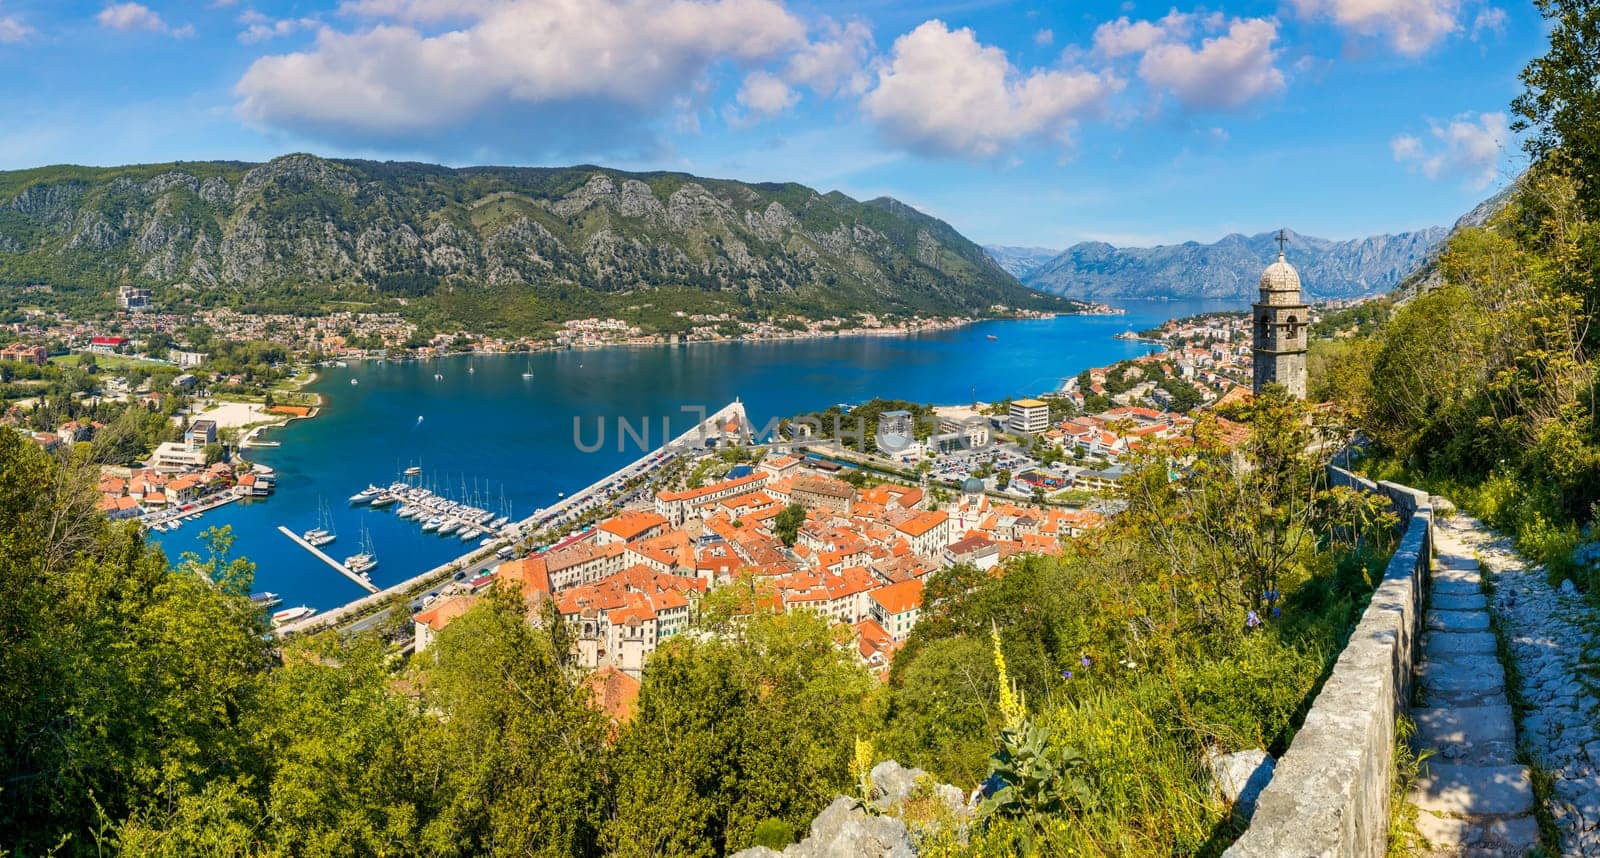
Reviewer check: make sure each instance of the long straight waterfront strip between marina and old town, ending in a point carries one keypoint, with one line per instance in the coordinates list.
(484, 558)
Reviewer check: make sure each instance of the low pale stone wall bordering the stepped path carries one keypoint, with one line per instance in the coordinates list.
(1330, 792)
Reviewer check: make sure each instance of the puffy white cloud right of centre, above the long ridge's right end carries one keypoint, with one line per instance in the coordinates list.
(945, 94)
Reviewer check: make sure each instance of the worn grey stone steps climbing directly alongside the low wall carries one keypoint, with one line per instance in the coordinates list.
(1473, 798)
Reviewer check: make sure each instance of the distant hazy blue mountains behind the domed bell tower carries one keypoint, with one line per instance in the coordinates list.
(1230, 268)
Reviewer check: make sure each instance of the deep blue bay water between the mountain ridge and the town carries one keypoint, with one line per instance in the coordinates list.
(492, 431)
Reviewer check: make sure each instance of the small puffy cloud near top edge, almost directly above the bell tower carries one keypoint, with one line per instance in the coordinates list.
(1225, 73)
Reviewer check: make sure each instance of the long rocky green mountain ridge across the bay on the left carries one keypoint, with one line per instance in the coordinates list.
(495, 247)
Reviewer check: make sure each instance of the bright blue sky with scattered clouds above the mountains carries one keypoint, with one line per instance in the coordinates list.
(1018, 122)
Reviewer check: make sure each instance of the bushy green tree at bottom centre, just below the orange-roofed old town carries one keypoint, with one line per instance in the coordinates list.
(732, 734)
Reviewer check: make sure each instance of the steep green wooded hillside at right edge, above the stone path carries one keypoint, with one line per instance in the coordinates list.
(1486, 385)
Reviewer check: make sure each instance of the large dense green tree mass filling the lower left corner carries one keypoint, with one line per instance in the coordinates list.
(126, 681)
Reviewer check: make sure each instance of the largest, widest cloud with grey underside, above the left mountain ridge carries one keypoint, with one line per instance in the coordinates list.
(540, 73)
